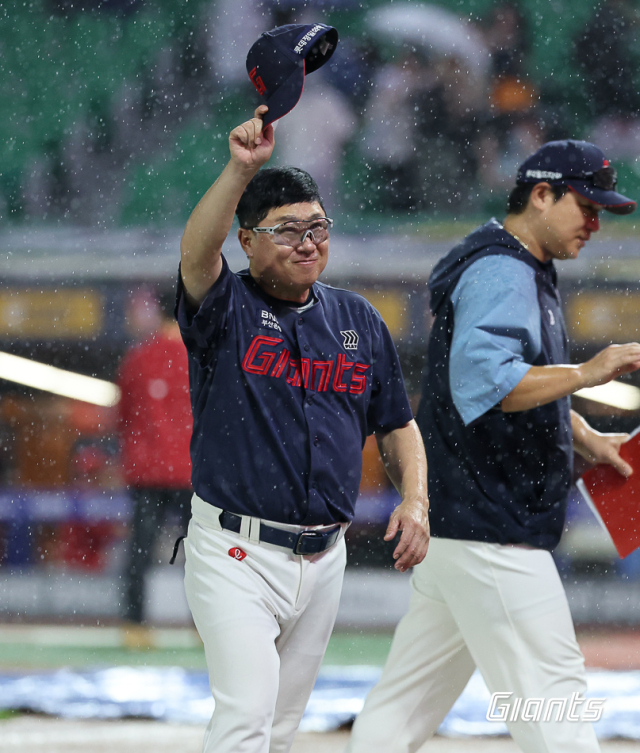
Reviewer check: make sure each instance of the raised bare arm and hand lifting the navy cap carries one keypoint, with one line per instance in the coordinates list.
(250, 146)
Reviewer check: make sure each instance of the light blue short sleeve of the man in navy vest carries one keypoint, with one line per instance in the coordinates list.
(496, 334)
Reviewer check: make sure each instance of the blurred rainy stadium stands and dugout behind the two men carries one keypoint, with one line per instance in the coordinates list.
(115, 116)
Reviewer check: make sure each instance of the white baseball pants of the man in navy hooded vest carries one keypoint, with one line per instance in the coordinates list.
(499, 608)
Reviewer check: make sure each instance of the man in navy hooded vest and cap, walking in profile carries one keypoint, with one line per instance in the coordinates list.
(500, 433)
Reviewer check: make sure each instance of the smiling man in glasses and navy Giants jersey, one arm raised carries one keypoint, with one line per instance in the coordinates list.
(288, 377)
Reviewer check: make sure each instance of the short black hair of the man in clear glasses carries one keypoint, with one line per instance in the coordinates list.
(274, 187)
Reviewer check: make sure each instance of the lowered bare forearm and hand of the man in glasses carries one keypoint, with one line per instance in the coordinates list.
(403, 455)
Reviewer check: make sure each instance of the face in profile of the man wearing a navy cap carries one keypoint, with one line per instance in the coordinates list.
(566, 225)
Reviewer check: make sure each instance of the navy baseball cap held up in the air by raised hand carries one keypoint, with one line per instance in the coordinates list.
(278, 61)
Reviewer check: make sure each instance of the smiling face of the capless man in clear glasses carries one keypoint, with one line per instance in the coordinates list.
(286, 272)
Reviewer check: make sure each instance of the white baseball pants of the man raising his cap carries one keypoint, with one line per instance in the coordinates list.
(265, 621)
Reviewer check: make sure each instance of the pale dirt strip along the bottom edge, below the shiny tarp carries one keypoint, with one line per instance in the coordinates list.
(34, 734)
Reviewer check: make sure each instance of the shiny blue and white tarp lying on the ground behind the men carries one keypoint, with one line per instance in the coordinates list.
(178, 695)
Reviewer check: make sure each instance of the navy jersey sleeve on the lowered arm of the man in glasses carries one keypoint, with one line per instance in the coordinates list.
(389, 406)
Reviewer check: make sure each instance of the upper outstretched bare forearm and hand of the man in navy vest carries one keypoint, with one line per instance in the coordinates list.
(544, 384)
